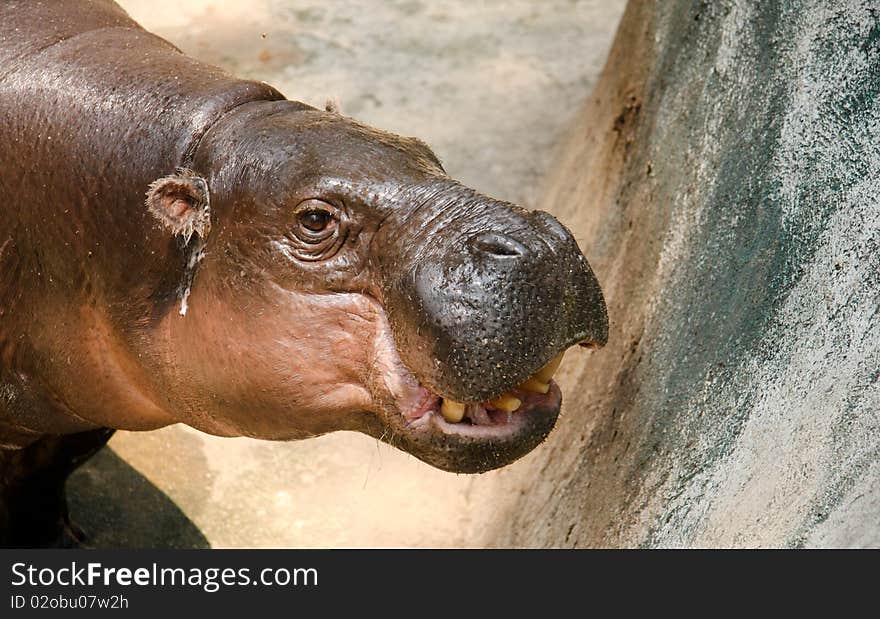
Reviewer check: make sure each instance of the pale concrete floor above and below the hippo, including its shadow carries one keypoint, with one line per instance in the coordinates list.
(492, 86)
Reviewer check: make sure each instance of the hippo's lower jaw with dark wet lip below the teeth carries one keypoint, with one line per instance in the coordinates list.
(467, 448)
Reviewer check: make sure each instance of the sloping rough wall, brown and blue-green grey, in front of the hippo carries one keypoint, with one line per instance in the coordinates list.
(724, 181)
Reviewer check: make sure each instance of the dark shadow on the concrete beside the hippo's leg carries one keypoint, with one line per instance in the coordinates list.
(118, 507)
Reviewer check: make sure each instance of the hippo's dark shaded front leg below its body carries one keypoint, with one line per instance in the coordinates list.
(33, 507)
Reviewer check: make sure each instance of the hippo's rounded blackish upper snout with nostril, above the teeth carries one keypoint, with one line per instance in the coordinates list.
(494, 296)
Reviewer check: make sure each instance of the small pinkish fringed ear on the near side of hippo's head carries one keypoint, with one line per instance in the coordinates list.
(181, 202)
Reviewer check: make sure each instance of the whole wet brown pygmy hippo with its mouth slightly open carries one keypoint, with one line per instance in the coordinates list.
(178, 245)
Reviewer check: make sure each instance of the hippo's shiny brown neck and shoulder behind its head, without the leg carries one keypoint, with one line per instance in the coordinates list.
(76, 158)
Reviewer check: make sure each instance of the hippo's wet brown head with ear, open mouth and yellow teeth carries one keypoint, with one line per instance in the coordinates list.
(340, 280)
